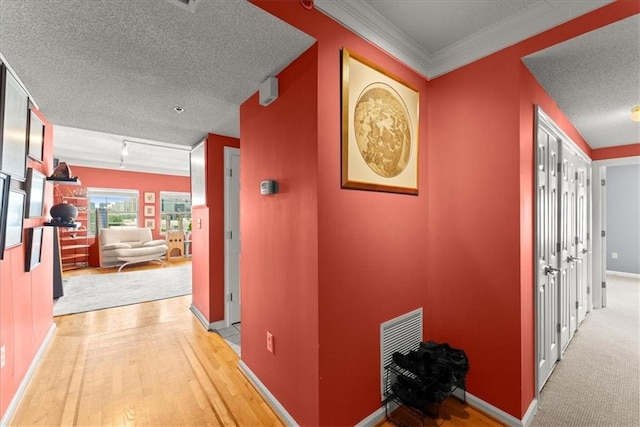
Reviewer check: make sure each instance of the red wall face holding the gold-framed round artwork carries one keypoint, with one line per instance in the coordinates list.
(371, 245)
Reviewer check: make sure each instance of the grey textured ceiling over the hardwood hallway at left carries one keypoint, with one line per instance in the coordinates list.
(121, 66)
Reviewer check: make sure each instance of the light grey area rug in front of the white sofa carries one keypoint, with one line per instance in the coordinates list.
(98, 291)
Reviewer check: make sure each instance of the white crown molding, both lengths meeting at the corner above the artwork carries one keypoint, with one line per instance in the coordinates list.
(363, 20)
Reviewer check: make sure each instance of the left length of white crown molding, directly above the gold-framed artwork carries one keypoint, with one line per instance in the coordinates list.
(360, 18)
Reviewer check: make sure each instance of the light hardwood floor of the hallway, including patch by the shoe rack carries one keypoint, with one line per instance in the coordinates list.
(154, 364)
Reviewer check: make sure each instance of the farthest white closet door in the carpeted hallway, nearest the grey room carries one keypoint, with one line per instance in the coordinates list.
(582, 244)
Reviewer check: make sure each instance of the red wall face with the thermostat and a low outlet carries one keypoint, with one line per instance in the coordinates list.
(279, 267)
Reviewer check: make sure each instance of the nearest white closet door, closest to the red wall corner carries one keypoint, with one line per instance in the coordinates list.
(547, 347)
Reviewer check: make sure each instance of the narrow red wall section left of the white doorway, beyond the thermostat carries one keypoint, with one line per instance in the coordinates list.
(208, 241)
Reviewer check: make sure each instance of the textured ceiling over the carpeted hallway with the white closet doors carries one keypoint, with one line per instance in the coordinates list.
(595, 80)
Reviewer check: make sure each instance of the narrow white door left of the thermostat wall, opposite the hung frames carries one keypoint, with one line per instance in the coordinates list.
(232, 241)
